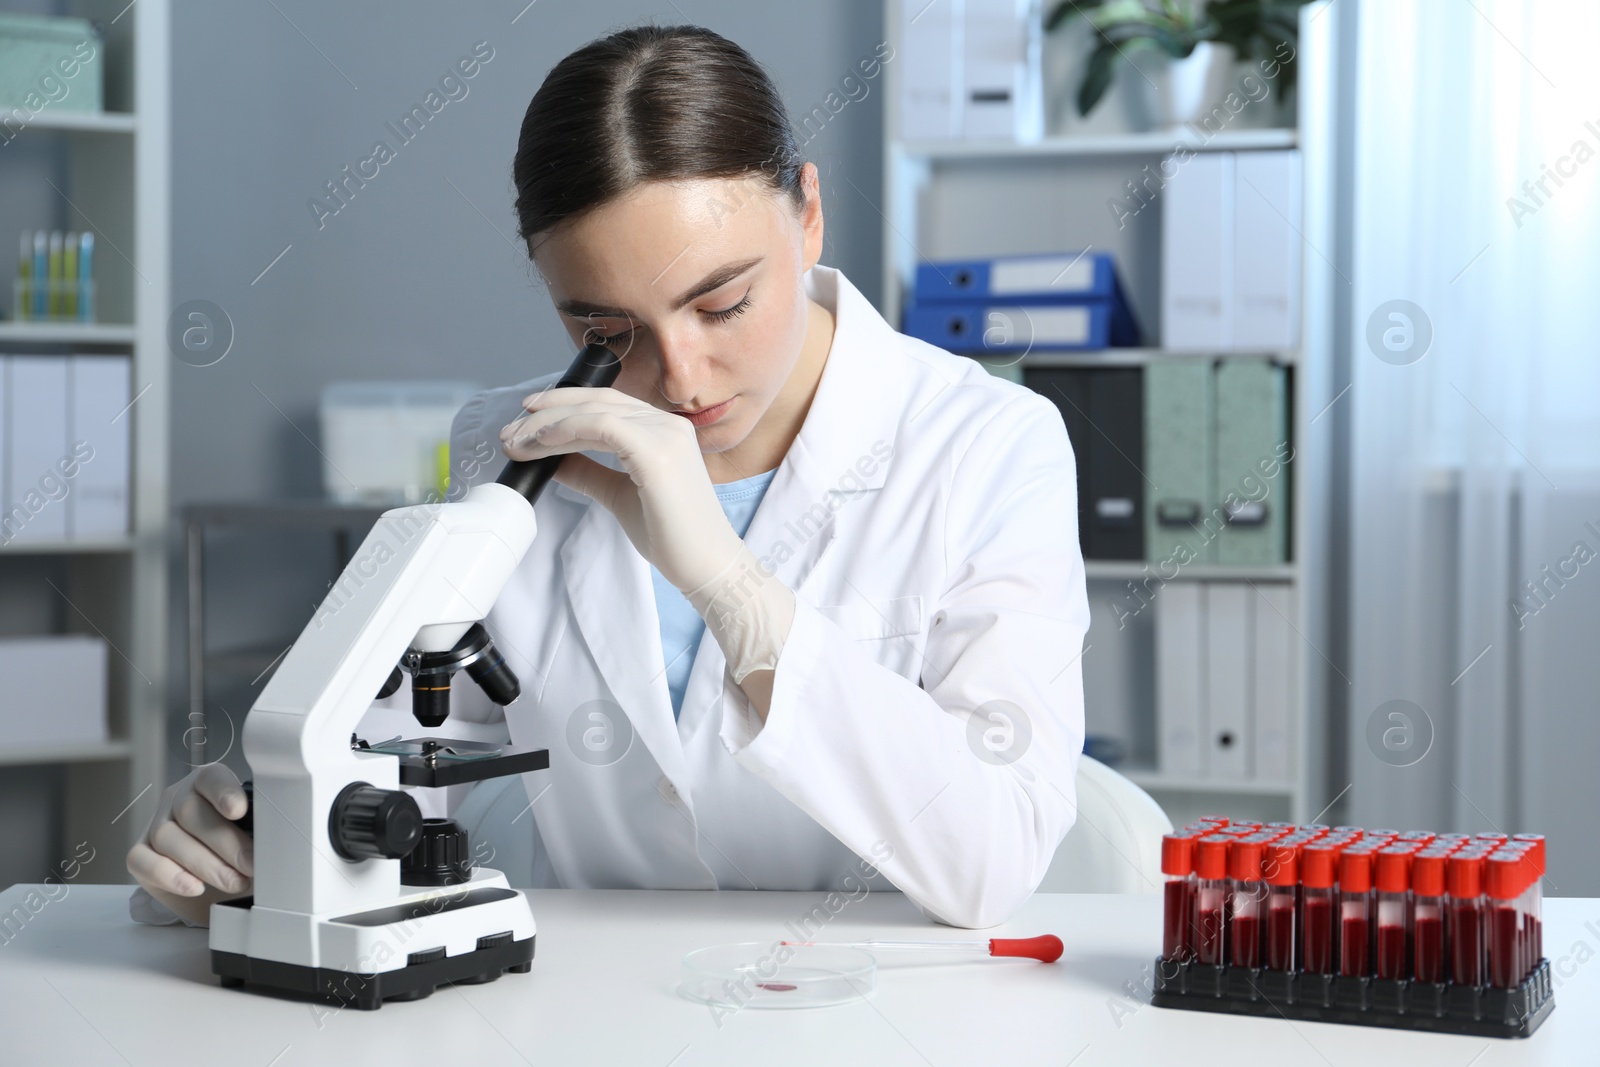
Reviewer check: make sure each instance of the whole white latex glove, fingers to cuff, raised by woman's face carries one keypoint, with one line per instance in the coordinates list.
(665, 502)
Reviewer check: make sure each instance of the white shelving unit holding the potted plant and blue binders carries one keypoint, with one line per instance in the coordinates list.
(951, 201)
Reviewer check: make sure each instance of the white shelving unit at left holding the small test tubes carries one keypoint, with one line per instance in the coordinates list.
(118, 186)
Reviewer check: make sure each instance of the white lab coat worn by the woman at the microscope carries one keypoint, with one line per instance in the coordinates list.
(927, 521)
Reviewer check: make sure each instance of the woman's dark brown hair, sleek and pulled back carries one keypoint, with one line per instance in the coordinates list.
(654, 103)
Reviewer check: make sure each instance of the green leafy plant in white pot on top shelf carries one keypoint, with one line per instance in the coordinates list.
(1177, 46)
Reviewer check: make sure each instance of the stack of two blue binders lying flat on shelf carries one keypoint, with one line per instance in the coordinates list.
(1020, 305)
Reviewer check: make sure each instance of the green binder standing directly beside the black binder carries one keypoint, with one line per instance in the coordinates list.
(1178, 444)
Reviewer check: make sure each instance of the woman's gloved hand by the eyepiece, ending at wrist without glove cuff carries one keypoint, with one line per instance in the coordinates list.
(663, 497)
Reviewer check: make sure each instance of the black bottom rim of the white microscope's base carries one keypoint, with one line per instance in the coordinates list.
(369, 993)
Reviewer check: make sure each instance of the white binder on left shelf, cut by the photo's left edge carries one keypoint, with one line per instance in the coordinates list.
(36, 444)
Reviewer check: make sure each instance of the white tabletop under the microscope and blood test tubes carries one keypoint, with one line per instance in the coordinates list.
(81, 985)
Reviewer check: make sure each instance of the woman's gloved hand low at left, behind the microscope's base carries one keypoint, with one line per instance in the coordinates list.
(193, 855)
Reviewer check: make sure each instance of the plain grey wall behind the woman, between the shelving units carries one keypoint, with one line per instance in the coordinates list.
(415, 278)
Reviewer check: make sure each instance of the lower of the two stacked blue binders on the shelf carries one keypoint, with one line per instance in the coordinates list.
(1001, 329)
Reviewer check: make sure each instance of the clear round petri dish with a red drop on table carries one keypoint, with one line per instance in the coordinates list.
(770, 975)
